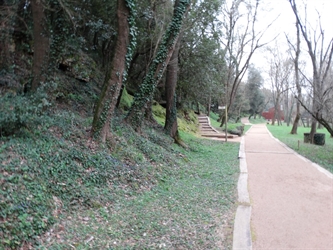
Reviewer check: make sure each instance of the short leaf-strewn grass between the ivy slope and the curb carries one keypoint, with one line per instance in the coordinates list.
(191, 207)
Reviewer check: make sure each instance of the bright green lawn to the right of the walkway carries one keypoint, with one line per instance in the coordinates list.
(322, 155)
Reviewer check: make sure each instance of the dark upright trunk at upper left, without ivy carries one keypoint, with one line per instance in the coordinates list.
(41, 44)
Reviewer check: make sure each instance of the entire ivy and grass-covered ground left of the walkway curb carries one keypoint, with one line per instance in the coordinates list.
(60, 191)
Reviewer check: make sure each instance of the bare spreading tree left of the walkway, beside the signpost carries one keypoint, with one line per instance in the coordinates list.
(240, 44)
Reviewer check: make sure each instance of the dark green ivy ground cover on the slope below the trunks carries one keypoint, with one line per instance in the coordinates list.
(52, 169)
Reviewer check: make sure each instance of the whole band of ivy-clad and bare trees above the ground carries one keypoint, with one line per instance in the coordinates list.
(181, 54)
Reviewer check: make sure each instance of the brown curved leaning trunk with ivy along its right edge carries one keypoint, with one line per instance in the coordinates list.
(114, 78)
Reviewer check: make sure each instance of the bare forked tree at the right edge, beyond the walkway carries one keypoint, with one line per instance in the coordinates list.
(321, 59)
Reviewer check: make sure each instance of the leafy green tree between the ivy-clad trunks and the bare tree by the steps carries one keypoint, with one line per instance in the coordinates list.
(200, 55)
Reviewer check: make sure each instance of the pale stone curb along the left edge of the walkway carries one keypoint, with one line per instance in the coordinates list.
(242, 226)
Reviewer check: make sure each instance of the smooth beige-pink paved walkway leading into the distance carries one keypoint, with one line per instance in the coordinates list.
(291, 200)
